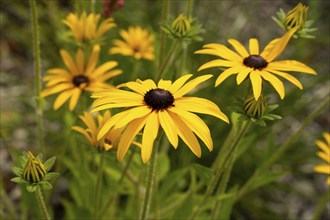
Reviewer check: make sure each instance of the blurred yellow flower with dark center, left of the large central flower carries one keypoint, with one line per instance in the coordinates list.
(78, 77)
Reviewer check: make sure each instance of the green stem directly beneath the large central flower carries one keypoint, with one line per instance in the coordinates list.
(149, 183)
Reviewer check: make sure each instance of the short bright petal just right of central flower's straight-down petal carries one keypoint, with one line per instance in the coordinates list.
(168, 127)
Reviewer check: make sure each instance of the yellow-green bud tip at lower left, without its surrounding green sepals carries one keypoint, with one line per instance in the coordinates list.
(33, 171)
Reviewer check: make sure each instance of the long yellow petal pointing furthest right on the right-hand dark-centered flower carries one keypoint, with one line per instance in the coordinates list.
(290, 65)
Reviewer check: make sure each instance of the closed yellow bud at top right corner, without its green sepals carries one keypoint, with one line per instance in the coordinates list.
(296, 17)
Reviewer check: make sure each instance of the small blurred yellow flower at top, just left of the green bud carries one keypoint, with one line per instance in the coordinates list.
(137, 43)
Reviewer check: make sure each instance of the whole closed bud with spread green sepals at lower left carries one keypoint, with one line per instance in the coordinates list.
(33, 172)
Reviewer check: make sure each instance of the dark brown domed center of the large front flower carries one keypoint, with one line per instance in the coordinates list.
(159, 99)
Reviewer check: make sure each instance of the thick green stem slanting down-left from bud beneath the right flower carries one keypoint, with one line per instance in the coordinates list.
(219, 169)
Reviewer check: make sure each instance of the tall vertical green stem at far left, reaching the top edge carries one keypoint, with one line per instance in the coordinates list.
(37, 61)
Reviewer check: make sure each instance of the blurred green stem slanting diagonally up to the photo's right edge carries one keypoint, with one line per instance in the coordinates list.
(281, 150)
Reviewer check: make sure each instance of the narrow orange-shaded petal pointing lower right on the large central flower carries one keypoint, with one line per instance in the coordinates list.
(186, 134)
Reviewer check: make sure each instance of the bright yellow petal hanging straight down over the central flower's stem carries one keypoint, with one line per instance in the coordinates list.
(150, 132)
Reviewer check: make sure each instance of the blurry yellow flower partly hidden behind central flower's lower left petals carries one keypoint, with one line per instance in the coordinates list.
(105, 143)
